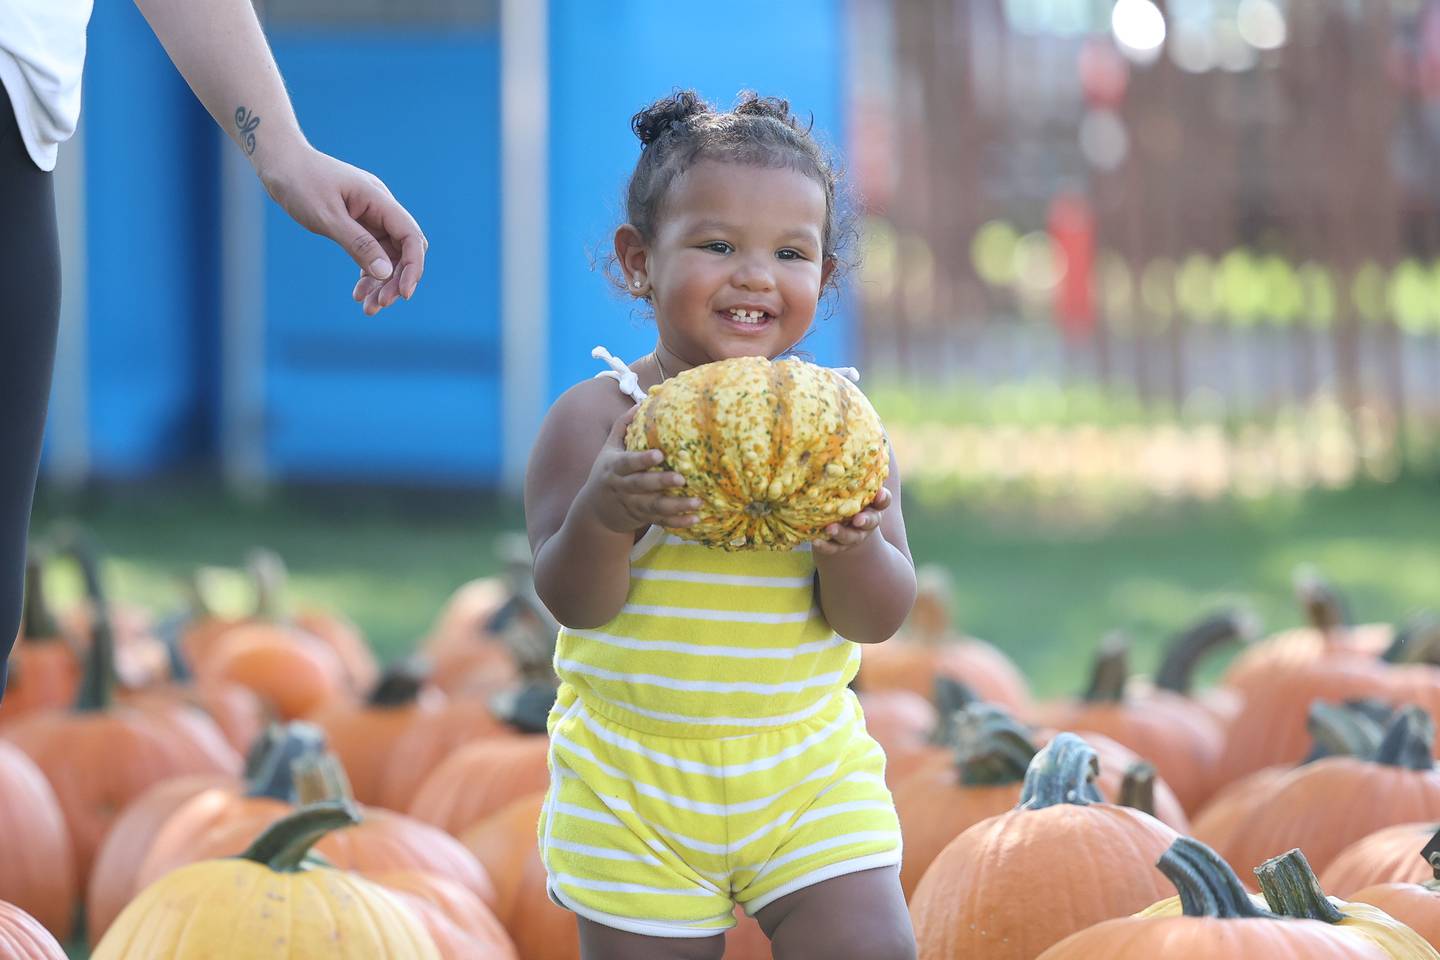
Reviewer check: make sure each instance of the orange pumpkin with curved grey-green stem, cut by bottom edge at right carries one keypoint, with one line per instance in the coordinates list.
(1216, 919)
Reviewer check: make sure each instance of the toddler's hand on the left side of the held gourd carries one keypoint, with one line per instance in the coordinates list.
(626, 494)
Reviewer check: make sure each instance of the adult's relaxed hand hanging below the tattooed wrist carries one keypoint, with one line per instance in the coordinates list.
(356, 211)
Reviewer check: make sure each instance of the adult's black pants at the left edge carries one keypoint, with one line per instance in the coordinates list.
(30, 319)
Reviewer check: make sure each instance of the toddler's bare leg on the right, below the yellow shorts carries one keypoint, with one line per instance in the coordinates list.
(852, 918)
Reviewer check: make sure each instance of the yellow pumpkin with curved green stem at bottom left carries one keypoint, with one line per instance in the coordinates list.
(269, 905)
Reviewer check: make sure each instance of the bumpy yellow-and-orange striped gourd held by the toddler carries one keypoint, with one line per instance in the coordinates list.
(775, 451)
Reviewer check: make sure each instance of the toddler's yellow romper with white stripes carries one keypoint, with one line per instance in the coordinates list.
(705, 748)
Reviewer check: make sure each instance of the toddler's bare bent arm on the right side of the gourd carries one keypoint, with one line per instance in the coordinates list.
(866, 576)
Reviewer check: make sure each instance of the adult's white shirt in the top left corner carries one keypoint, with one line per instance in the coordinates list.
(42, 58)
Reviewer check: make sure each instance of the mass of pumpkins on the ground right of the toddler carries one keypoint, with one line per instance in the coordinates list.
(1308, 768)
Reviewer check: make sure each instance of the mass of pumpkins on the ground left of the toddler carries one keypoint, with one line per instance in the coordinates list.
(152, 771)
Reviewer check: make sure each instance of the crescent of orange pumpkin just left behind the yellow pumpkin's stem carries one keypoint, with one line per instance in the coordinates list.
(113, 879)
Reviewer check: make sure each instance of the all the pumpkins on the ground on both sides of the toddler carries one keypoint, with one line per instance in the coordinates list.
(149, 771)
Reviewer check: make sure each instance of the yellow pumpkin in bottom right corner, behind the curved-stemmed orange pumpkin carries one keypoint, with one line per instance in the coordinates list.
(1292, 890)
